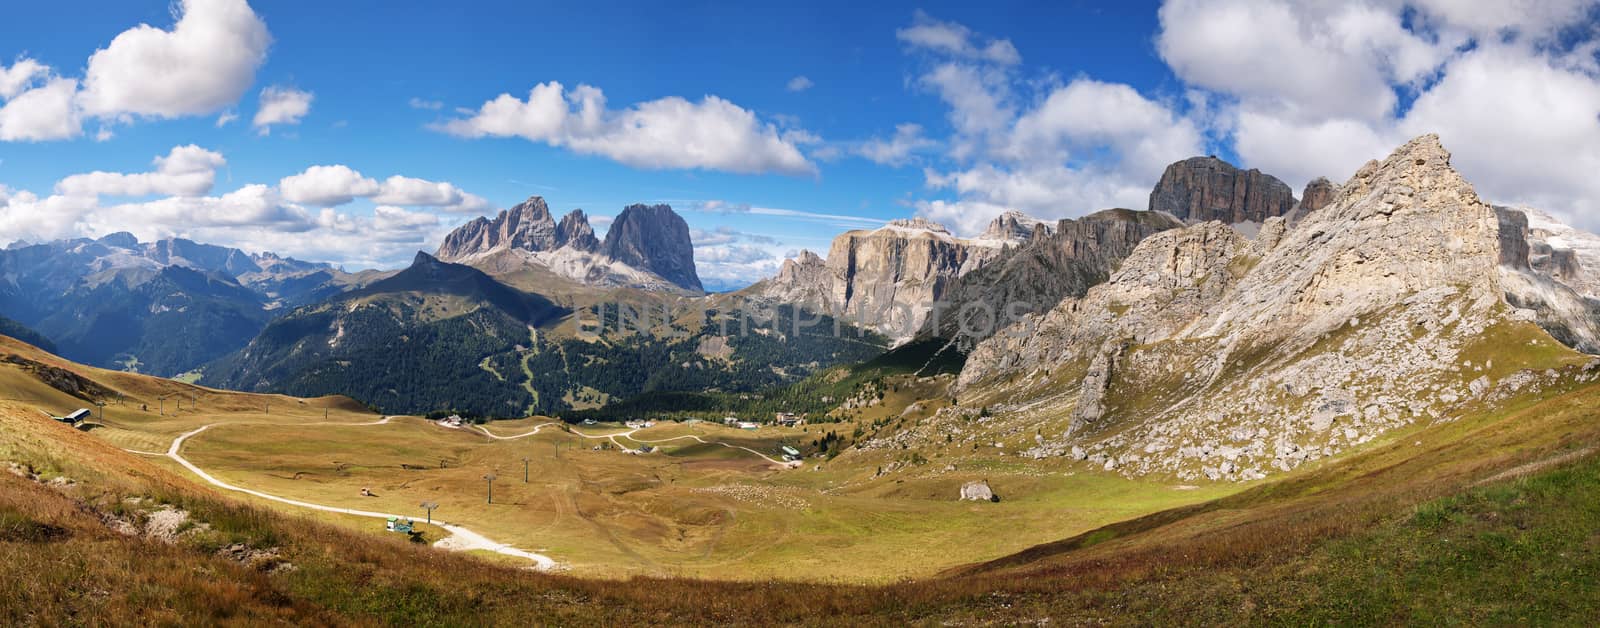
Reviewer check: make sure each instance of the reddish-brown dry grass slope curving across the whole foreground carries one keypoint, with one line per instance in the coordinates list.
(1367, 539)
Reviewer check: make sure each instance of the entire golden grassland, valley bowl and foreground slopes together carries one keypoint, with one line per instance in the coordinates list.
(1484, 518)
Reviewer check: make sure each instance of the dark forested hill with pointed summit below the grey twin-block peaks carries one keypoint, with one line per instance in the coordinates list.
(450, 337)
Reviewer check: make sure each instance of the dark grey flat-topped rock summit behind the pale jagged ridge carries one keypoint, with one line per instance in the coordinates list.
(1202, 190)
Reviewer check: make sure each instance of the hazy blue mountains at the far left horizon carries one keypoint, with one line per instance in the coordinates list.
(162, 307)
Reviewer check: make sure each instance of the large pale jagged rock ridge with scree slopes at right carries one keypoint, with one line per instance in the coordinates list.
(1239, 358)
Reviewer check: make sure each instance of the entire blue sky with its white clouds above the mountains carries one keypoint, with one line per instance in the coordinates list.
(953, 111)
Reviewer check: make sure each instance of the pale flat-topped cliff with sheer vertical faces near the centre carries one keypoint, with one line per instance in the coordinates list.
(889, 280)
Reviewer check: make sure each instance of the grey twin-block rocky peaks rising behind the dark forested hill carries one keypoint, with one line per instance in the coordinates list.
(649, 248)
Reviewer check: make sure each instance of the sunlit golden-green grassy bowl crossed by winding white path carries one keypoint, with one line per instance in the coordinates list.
(708, 502)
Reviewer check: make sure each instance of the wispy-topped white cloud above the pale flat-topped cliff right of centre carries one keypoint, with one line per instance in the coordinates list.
(1049, 150)
